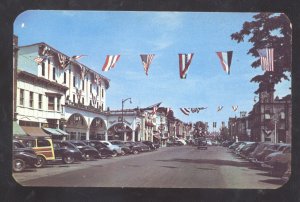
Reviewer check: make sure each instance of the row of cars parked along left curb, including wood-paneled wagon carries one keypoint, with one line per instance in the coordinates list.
(37, 151)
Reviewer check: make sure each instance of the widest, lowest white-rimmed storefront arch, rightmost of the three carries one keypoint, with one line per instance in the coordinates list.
(119, 132)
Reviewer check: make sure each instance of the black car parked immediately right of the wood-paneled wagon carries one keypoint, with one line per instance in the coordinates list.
(66, 151)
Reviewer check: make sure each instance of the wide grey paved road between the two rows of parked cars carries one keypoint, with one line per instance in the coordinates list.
(172, 167)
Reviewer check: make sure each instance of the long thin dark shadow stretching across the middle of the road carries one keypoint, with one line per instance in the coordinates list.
(211, 161)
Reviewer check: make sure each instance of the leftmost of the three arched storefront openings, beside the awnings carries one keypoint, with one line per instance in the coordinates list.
(77, 127)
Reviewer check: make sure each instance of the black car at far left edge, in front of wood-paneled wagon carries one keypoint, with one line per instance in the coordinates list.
(22, 157)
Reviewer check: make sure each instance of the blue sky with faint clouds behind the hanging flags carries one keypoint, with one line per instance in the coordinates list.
(165, 34)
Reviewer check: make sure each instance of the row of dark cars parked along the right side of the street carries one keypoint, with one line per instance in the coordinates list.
(275, 157)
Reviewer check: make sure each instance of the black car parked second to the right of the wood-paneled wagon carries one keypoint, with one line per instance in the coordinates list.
(88, 152)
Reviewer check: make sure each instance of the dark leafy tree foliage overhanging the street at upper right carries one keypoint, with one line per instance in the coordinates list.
(269, 30)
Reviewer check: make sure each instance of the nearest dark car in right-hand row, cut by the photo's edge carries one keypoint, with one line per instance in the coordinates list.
(279, 161)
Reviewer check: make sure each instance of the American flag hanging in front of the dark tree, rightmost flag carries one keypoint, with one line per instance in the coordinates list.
(266, 58)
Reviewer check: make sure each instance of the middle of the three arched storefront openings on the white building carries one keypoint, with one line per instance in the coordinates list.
(97, 129)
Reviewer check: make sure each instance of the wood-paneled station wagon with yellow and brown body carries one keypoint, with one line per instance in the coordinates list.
(43, 148)
